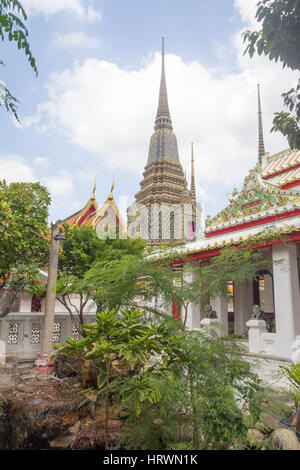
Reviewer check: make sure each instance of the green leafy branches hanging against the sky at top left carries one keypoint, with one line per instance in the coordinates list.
(12, 27)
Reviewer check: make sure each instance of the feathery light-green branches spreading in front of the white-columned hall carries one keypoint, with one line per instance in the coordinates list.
(149, 282)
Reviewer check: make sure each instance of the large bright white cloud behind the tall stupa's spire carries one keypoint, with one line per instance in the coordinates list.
(109, 111)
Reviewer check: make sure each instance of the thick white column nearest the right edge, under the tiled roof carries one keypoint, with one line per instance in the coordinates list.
(287, 297)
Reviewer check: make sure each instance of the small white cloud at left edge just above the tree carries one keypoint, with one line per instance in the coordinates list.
(15, 169)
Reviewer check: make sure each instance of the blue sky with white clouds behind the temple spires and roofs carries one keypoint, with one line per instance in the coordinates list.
(90, 111)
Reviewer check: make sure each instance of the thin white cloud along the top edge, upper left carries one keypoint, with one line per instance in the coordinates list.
(50, 7)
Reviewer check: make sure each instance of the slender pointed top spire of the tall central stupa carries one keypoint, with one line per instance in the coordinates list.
(163, 118)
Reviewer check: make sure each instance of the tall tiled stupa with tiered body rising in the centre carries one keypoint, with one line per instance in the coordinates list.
(165, 210)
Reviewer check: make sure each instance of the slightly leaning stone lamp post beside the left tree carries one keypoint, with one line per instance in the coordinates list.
(43, 365)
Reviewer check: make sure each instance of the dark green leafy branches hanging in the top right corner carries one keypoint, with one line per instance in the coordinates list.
(279, 39)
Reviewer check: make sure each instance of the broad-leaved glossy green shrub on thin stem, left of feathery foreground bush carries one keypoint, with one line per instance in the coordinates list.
(118, 344)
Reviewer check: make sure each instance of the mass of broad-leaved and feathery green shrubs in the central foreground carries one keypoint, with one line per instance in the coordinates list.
(174, 387)
